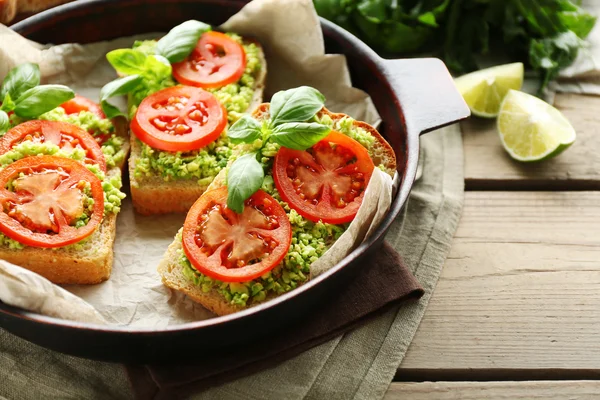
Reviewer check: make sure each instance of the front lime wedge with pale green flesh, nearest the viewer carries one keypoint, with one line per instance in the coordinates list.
(531, 129)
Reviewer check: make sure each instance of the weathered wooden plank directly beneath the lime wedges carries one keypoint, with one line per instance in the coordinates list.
(488, 166)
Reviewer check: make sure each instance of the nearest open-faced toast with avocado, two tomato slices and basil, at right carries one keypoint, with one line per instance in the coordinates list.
(295, 182)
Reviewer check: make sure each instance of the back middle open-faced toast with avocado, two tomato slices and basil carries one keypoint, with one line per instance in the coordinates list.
(183, 90)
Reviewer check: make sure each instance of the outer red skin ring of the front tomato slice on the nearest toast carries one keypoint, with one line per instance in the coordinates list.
(201, 262)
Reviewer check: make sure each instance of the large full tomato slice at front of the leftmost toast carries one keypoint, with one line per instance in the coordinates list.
(47, 200)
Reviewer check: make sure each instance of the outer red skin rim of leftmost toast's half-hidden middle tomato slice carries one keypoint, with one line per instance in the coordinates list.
(17, 135)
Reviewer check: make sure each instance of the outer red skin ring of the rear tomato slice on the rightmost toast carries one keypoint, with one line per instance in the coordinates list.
(324, 212)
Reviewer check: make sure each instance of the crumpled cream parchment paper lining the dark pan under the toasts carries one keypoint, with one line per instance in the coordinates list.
(290, 32)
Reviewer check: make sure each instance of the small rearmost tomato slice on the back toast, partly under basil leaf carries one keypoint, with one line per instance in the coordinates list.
(216, 61)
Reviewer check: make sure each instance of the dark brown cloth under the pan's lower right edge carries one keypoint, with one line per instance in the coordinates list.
(386, 282)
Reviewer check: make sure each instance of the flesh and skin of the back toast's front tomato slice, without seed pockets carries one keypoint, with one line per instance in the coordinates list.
(200, 136)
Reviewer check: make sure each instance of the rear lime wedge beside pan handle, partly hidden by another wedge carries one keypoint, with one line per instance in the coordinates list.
(484, 90)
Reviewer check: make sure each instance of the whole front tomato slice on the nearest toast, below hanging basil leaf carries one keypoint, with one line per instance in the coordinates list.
(235, 247)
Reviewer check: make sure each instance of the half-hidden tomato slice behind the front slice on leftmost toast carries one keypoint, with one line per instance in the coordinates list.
(66, 136)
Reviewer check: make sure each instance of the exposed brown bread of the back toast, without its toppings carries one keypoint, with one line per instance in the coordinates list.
(154, 195)
